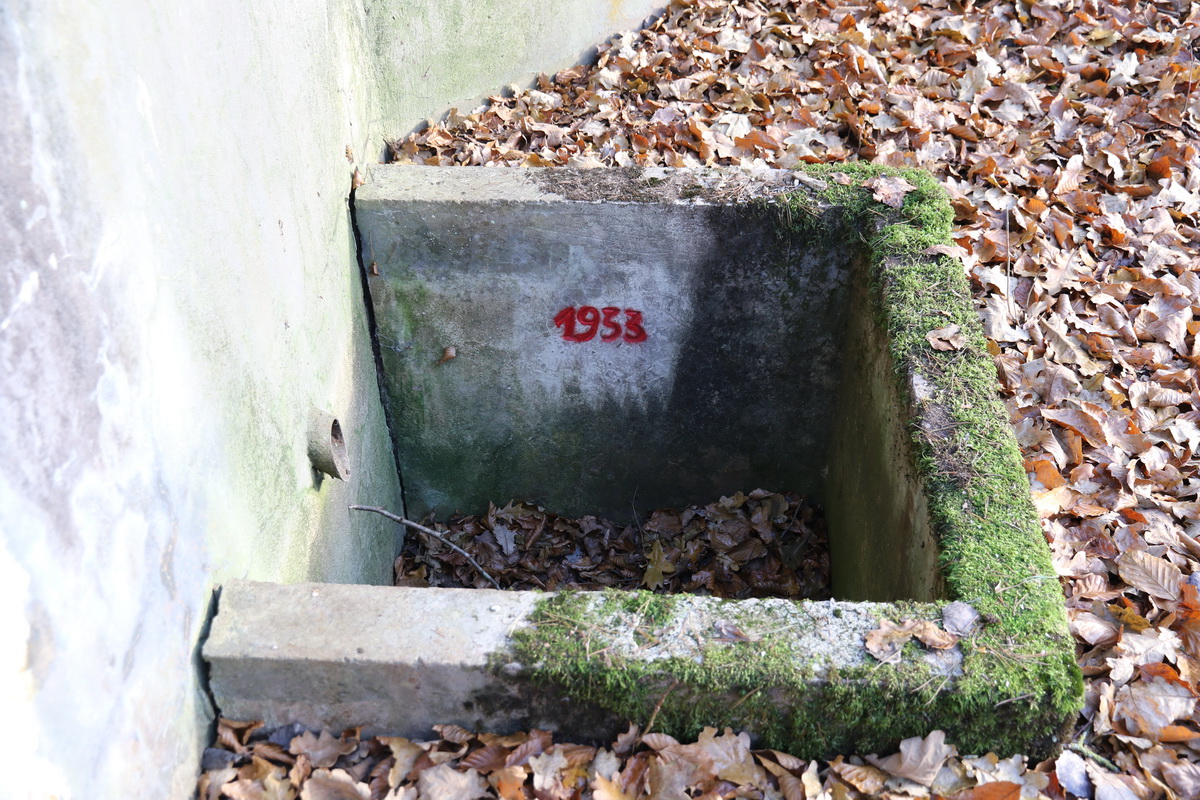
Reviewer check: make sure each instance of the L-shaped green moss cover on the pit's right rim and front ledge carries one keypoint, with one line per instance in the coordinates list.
(1021, 688)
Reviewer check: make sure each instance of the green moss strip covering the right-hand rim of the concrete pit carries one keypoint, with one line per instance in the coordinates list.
(993, 551)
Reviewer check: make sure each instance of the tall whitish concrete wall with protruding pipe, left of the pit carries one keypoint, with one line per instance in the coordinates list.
(178, 291)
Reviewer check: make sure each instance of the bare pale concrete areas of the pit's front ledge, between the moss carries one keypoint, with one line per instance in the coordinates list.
(399, 661)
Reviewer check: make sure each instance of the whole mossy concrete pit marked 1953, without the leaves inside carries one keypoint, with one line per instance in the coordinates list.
(603, 341)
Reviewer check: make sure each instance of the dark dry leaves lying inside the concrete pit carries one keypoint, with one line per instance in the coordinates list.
(765, 545)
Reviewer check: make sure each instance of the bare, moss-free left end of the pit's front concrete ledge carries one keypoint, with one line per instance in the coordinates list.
(393, 660)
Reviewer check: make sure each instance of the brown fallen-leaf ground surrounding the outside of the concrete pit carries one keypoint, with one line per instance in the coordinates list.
(1066, 134)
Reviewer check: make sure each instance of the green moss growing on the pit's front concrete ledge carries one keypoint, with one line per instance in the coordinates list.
(761, 687)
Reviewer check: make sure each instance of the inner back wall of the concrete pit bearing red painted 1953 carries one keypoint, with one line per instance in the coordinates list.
(731, 389)
